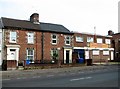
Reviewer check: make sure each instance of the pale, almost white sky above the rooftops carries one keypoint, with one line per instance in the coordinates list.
(76, 15)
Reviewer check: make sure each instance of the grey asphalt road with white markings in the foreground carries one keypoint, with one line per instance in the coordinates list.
(92, 78)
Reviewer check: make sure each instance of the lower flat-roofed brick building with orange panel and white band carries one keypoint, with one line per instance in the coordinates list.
(95, 47)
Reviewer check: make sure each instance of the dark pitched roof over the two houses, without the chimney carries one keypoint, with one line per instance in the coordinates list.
(47, 27)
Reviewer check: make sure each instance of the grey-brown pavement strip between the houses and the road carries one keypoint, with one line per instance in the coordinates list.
(11, 74)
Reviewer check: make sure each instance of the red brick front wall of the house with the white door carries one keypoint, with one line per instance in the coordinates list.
(22, 41)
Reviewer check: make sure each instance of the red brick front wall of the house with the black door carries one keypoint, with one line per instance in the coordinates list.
(48, 45)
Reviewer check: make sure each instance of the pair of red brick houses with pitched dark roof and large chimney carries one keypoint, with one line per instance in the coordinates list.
(35, 41)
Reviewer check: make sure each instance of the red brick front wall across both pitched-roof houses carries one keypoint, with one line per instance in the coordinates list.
(47, 45)
